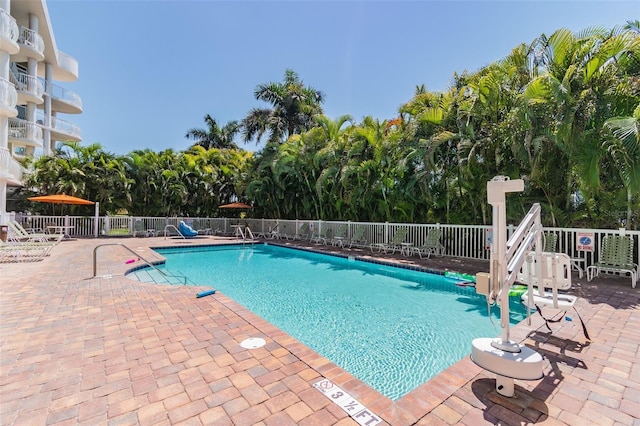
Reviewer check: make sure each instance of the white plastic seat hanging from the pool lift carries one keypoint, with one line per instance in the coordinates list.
(556, 275)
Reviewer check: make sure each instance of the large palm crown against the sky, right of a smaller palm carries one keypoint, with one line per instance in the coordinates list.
(293, 109)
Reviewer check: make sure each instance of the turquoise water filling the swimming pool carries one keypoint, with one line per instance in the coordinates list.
(392, 328)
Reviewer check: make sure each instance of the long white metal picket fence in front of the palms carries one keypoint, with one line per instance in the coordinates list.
(464, 241)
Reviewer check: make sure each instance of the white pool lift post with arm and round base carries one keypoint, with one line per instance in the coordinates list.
(508, 359)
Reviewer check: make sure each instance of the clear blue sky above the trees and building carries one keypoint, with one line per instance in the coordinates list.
(151, 70)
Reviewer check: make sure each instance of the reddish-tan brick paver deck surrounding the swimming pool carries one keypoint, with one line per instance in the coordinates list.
(113, 351)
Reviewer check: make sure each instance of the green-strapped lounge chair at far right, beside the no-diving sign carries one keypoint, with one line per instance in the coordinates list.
(616, 256)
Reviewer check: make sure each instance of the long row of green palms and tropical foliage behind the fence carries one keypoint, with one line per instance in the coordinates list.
(562, 113)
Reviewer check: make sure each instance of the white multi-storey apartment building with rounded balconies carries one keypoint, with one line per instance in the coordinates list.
(34, 105)
